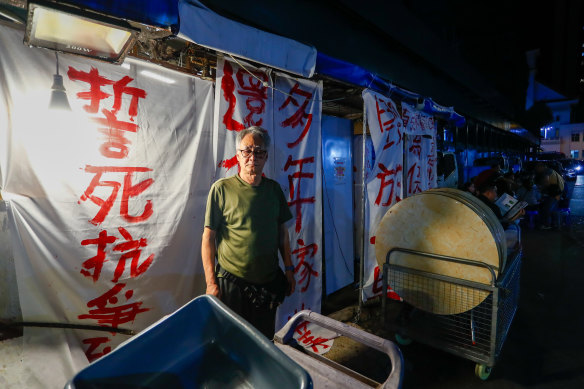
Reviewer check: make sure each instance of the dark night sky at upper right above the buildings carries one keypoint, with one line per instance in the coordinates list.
(493, 36)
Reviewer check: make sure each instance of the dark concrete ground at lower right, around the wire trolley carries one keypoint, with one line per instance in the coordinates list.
(545, 344)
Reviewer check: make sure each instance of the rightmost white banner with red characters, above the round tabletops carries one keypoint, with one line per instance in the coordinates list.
(420, 130)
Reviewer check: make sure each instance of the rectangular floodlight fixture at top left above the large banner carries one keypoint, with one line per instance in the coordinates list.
(68, 29)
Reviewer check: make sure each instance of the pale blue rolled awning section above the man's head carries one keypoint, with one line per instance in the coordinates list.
(204, 27)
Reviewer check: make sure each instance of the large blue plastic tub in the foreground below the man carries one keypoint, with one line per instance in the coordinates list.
(201, 345)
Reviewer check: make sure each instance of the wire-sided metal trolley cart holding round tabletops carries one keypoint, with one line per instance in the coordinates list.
(479, 331)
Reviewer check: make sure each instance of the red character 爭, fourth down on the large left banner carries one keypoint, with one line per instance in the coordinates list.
(108, 315)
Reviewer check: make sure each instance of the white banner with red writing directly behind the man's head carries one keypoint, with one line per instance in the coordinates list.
(243, 98)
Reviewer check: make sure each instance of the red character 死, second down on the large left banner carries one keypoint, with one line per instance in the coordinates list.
(128, 191)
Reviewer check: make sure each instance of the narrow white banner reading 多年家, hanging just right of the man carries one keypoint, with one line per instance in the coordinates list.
(298, 163)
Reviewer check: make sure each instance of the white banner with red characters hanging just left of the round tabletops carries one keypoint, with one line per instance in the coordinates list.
(384, 183)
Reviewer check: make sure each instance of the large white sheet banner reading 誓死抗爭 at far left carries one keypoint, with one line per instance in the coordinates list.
(105, 202)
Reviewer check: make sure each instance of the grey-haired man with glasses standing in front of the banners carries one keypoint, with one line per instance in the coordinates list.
(244, 228)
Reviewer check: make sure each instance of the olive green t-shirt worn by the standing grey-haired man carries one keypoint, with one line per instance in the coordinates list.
(246, 222)
